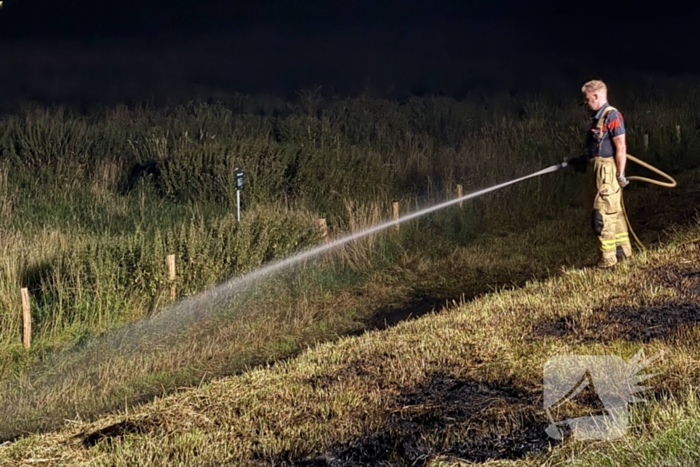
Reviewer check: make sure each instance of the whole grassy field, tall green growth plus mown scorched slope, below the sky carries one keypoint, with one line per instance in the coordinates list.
(92, 204)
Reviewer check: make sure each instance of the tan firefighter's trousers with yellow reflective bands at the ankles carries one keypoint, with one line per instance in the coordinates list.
(603, 203)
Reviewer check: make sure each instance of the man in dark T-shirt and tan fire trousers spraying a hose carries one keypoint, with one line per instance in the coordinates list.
(604, 166)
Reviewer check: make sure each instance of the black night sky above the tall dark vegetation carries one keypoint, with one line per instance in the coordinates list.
(304, 42)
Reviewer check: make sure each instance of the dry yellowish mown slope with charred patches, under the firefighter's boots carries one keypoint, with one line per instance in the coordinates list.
(456, 385)
